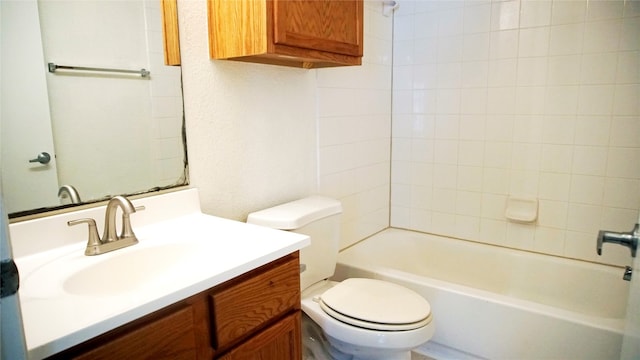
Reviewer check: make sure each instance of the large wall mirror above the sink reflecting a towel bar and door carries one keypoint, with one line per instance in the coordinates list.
(82, 135)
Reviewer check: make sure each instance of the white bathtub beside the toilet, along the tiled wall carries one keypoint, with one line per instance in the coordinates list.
(498, 303)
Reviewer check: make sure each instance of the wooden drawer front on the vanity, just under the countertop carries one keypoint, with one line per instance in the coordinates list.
(243, 308)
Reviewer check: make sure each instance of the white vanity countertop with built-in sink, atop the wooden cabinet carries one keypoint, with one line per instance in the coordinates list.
(205, 251)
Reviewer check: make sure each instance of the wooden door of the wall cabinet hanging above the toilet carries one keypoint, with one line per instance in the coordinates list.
(333, 26)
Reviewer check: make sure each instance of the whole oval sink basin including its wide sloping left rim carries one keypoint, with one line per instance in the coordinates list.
(142, 267)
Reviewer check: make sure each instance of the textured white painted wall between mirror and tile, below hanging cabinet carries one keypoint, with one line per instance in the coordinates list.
(251, 129)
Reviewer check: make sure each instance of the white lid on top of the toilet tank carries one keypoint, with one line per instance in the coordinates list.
(296, 214)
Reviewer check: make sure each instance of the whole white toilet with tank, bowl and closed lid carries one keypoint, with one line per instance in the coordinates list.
(361, 318)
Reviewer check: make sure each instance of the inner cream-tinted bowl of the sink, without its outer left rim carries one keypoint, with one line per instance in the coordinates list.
(125, 272)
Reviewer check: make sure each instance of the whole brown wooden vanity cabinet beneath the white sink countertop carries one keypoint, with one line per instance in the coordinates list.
(253, 316)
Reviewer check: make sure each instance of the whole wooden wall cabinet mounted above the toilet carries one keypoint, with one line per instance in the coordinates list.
(298, 33)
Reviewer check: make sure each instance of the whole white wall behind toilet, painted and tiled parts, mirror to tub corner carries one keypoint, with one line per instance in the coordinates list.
(259, 135)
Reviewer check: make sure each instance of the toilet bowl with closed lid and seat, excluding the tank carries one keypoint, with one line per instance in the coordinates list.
(369, 336)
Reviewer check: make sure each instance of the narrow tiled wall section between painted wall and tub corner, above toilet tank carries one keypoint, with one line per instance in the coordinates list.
(354, 131)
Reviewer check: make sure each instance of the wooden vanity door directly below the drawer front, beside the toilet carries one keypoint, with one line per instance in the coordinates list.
(281, 341)
